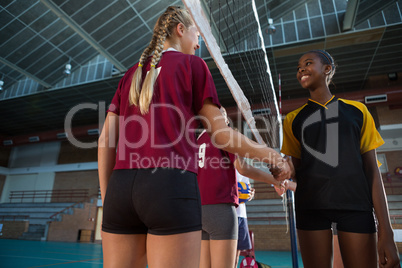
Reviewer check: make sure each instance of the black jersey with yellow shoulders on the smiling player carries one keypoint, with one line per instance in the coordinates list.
(329, 140)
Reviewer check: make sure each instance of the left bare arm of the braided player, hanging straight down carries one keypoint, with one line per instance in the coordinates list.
(107, 150)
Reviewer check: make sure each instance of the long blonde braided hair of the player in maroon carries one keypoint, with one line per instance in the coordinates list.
(163, 29)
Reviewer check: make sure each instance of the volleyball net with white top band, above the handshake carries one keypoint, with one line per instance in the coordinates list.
(232, 33)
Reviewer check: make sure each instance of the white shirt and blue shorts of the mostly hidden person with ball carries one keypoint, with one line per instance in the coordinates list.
(243, 241)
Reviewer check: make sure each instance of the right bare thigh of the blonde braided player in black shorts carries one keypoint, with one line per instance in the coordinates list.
(172, 251)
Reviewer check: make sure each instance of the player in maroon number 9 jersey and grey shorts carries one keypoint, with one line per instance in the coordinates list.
(219, 198)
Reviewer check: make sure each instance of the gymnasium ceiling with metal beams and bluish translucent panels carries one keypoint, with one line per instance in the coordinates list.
(38, 38)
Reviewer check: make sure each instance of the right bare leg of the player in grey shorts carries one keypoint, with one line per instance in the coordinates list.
(223, 253)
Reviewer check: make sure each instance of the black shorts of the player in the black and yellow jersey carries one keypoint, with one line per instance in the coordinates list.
(346, 220)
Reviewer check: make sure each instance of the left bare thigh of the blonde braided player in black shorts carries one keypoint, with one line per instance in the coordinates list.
(121, 251)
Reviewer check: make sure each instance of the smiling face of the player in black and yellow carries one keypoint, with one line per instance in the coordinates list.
(312, 72)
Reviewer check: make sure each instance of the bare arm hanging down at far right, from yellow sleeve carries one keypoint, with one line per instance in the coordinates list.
(387, 250)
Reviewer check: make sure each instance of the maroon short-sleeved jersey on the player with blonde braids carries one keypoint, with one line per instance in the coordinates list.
(164, 137)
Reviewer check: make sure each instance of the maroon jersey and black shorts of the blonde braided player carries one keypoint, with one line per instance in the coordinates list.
(153, 188)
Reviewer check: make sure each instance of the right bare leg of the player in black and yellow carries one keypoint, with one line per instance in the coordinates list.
(358, 250)
